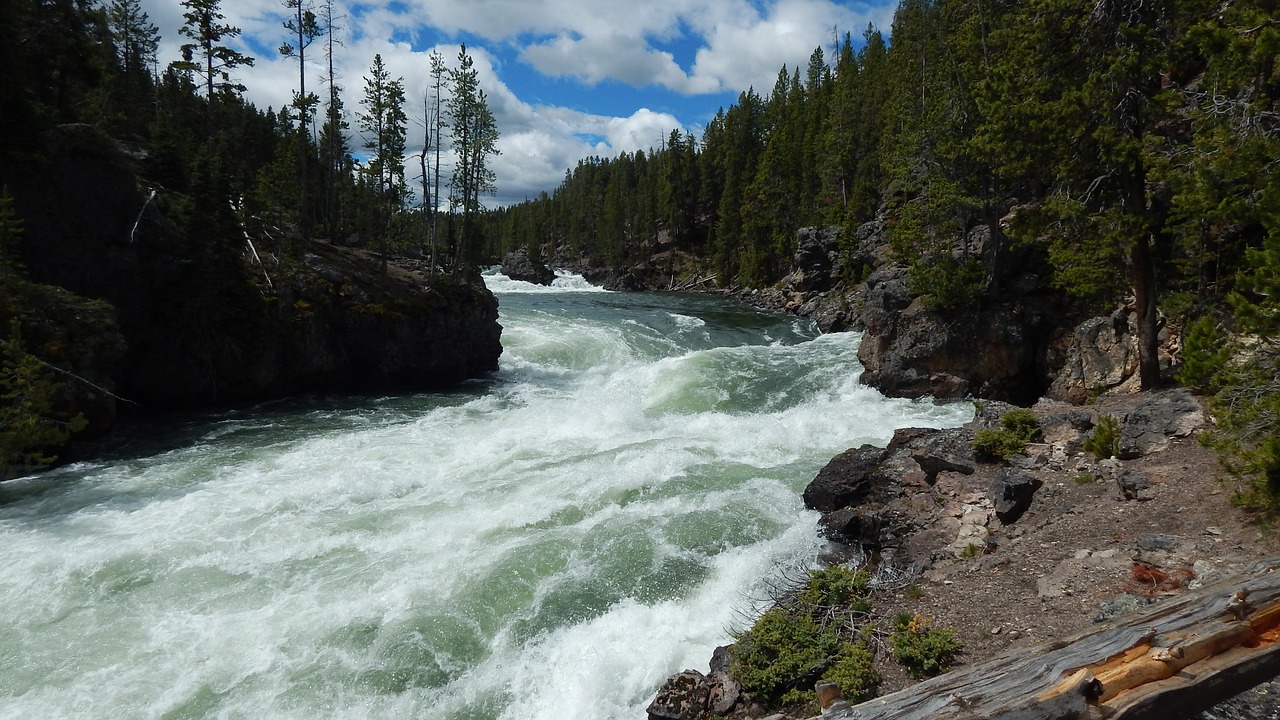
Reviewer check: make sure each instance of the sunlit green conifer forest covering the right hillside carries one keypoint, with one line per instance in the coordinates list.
(1110, 152)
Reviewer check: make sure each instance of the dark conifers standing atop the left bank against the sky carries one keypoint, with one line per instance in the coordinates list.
(273, 174)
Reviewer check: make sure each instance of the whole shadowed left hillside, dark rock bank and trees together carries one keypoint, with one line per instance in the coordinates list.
(166, 244)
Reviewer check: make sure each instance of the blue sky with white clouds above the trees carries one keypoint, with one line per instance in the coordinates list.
(565, 80)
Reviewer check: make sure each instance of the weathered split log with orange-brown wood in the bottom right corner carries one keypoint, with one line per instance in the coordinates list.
(1177, 658)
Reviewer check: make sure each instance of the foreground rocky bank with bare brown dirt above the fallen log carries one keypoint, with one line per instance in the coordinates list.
(1018, 553)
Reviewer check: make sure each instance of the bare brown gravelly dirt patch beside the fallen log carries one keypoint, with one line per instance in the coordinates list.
(1081, 545)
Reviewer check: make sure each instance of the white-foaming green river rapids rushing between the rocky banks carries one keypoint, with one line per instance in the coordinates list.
(551, 543)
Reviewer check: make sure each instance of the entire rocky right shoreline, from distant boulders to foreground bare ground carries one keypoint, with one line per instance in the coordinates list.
(1009, 553)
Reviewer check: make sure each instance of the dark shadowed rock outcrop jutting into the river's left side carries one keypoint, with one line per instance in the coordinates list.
(207, 321)
